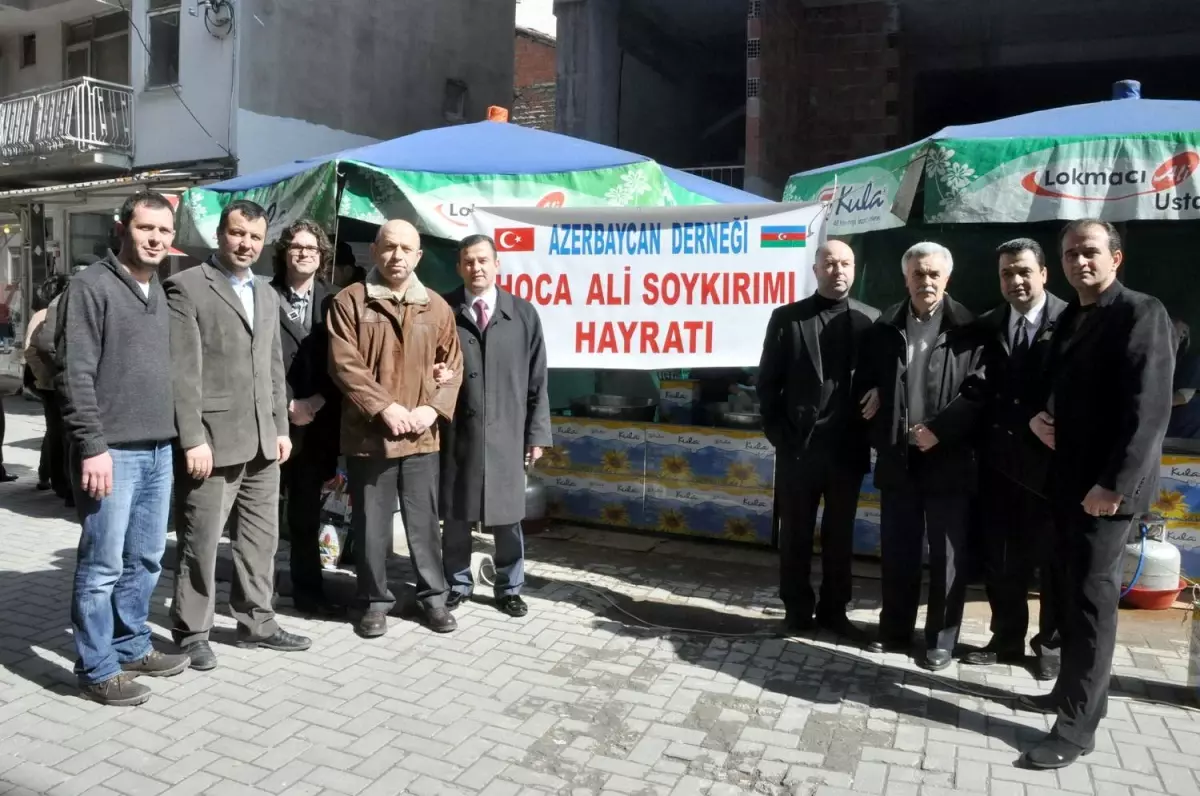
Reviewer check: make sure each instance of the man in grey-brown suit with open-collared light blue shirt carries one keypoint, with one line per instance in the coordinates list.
(231, 410)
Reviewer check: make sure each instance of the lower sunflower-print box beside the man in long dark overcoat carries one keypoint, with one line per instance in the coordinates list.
(611, 500)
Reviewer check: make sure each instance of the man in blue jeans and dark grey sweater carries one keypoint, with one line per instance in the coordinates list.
(118, 410)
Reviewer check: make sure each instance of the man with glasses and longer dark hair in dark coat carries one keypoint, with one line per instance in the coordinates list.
(302, 255)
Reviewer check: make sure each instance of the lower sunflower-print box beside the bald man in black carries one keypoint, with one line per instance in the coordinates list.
(709, 511)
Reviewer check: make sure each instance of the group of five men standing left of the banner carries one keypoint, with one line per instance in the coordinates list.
(223, 388)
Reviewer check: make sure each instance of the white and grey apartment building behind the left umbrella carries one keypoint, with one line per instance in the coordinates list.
(100, 98)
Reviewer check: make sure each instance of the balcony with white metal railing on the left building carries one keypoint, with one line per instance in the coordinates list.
(82, 125)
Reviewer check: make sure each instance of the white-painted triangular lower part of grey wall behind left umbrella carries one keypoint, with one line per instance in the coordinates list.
(271, 141)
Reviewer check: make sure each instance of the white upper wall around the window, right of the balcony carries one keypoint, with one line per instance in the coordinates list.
(165, 131)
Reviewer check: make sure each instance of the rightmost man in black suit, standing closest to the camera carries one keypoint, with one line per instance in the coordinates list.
(1109, 379)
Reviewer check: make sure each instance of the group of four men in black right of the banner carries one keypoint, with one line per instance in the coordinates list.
(1033, 434)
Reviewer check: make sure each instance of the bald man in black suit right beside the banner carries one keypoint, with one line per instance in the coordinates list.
(821, 450)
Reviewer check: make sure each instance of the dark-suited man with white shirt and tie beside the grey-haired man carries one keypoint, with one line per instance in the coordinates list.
(1016, 517)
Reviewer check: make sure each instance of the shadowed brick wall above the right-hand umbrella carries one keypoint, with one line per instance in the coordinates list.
(830, 83)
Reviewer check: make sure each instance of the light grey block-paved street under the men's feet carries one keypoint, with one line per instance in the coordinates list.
(573, 699)
